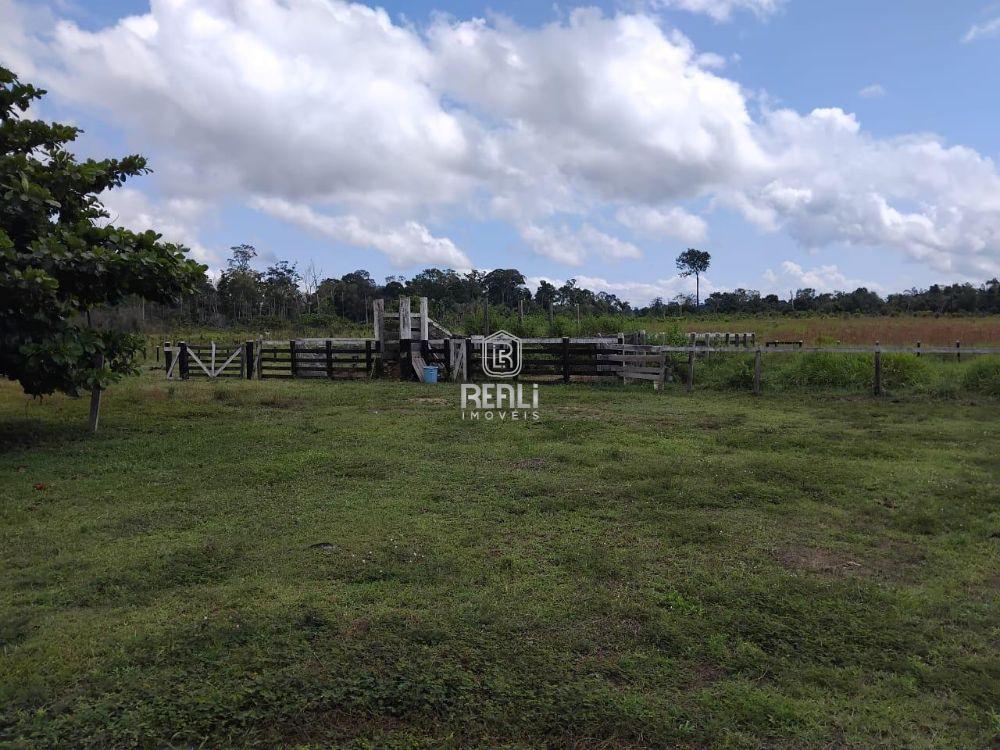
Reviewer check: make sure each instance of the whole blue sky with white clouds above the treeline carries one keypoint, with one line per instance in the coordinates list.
(802, 143)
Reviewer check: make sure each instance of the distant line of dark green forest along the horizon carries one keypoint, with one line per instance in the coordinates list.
(283, 295)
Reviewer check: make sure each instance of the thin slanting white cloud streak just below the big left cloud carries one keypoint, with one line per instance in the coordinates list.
(405, 245)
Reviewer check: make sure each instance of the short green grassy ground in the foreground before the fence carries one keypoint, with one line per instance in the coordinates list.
(259, 564)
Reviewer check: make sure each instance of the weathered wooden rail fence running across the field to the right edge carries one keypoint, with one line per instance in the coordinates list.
(460, 359)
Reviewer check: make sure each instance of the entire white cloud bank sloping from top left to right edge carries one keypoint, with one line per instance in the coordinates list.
(332, 116)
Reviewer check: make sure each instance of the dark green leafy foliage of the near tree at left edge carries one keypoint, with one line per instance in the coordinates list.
(59, 261)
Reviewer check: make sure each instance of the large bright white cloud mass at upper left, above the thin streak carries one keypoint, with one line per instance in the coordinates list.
(306, 99)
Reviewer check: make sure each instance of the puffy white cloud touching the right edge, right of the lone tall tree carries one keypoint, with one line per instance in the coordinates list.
(829, 182)
